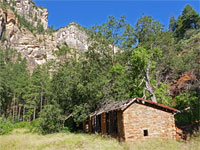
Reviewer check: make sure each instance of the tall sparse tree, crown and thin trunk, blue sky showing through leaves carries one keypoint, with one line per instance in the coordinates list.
(114, 35)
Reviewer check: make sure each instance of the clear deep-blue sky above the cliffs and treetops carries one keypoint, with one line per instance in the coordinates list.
(92, 12)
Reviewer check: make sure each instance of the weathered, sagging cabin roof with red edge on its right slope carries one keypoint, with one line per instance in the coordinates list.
(122, 105)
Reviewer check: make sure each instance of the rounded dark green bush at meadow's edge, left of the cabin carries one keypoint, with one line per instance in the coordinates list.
(50, 119)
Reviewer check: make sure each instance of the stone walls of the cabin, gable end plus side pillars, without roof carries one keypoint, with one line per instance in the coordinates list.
(133, 121)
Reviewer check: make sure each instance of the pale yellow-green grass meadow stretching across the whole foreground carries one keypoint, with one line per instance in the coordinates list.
(21, 139)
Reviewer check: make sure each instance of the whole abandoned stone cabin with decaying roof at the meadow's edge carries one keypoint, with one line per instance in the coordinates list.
(133, 120)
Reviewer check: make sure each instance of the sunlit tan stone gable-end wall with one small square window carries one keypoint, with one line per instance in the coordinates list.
(140, 117)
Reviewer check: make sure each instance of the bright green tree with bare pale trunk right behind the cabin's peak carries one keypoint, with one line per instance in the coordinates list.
(143, 64)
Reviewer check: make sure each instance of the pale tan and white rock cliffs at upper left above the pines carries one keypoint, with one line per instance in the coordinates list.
(37, 47)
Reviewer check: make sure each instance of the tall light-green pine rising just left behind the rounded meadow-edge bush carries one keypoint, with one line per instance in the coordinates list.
(38, 91)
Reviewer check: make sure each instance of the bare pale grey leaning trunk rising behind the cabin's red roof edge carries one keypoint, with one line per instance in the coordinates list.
(148, 84)
